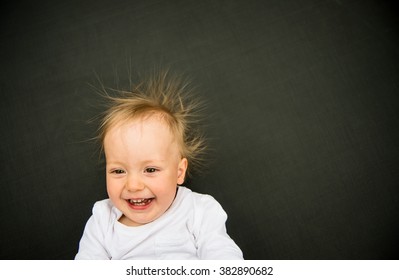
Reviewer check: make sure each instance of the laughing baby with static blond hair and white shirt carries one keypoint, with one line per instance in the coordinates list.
(149, 142)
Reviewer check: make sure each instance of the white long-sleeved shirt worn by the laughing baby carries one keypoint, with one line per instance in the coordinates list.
(192, 228)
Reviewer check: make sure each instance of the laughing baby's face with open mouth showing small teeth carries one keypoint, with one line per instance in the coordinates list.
(143, 166)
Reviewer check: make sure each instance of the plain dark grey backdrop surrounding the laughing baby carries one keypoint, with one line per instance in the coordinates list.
(303, 117)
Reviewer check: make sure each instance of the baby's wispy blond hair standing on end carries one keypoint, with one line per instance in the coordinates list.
(163, 95)
